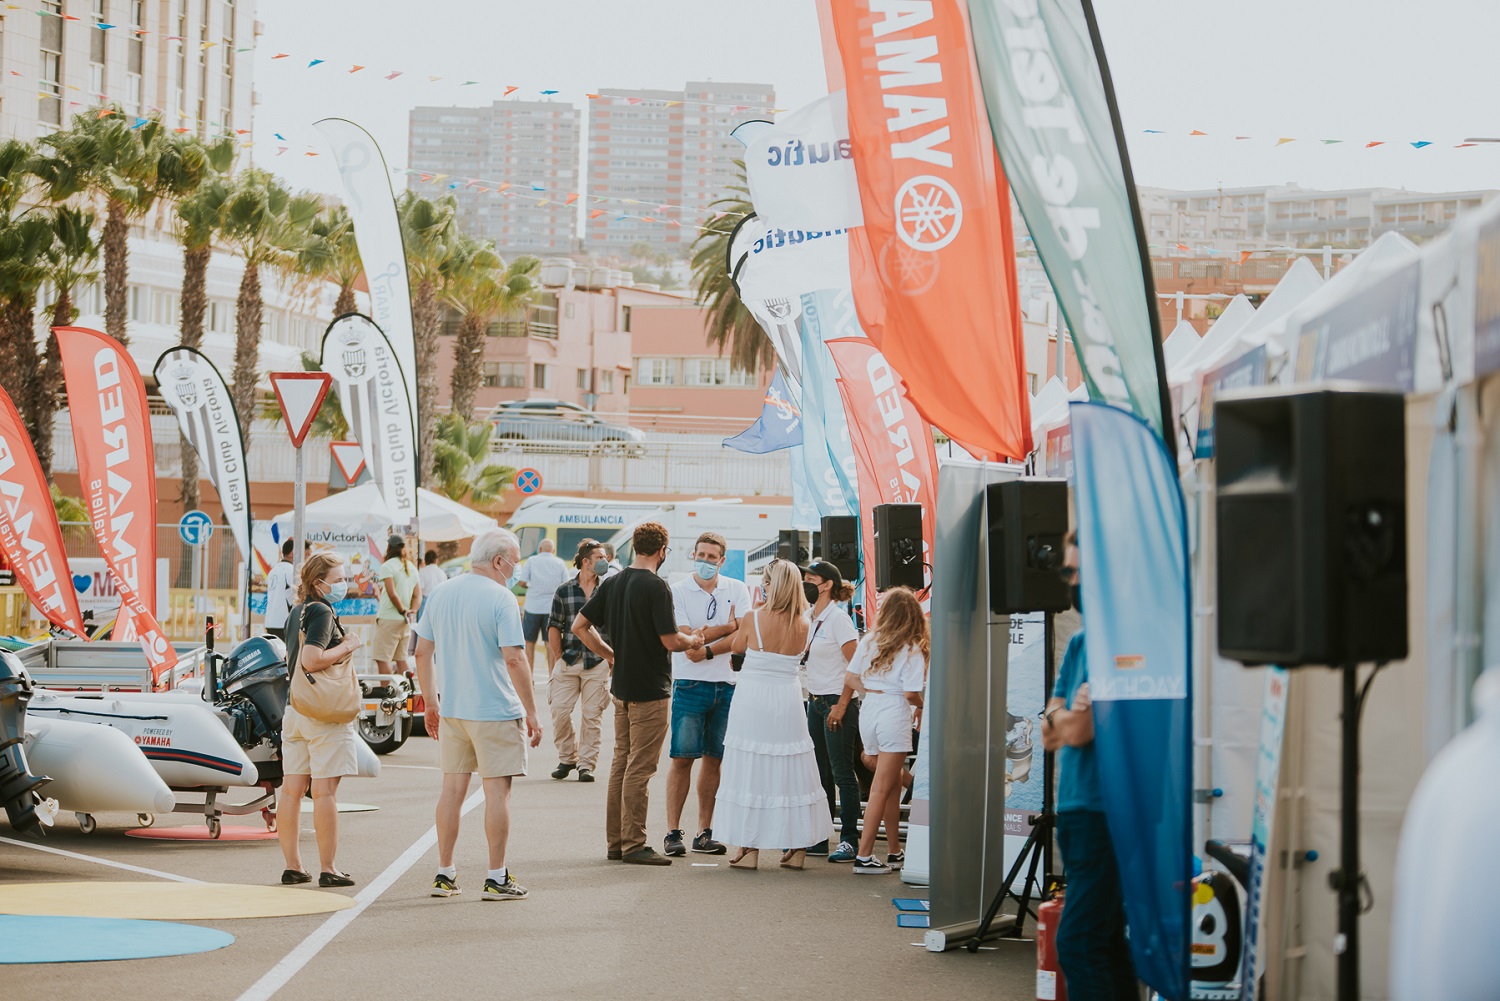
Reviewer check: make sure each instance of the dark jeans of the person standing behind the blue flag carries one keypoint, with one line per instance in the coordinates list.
(1091, 937)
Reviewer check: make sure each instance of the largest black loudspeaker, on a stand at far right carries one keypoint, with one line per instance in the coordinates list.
(1312, 528)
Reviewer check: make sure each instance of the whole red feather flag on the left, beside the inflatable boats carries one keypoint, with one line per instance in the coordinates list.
(113, 439)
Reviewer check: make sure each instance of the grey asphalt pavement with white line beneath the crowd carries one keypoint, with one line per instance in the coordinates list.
(590, 928)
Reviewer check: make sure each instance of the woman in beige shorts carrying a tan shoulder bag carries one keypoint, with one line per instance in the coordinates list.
(319, 739)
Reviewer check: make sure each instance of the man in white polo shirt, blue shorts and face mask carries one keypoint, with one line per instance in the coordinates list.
(703, 687)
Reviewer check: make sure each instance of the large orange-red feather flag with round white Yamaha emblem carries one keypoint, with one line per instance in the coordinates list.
(934, 266)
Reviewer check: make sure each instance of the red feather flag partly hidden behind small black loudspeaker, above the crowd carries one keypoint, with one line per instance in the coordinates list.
(893, 445)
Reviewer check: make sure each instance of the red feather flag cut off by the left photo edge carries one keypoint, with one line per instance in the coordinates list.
(31, 537)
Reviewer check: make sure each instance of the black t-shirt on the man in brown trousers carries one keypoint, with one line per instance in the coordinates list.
(635, 607)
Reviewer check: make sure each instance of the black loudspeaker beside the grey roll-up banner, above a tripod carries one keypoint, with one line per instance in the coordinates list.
(1028, 531)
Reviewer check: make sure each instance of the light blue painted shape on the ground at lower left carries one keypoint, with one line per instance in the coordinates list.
(29, 939)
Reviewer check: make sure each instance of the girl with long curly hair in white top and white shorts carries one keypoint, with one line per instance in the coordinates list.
(890, 667)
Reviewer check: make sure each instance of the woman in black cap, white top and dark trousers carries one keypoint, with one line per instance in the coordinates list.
(833, 712)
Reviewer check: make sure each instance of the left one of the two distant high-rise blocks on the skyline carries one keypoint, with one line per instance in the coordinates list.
(511, 166)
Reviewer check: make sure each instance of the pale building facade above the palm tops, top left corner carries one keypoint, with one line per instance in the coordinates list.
(172, 58)
